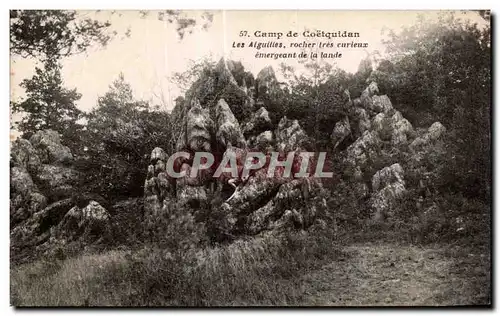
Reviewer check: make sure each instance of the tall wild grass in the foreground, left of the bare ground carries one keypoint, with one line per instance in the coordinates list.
(260, 271)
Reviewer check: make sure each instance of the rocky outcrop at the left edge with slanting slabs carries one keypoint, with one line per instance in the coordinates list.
(43, 196)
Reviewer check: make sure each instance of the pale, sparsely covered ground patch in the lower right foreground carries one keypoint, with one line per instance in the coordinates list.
(377, 275)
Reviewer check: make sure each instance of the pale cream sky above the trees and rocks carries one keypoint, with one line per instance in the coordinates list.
(154, 52)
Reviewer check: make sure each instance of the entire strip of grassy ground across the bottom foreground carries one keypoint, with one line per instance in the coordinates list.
(263, 271)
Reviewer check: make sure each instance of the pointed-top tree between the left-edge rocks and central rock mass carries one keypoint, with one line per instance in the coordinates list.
(121, 133)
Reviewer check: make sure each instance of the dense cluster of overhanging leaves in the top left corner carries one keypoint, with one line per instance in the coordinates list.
(53, 33)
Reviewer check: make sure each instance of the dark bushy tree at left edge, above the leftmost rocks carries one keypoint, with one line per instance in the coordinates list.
(48, 105)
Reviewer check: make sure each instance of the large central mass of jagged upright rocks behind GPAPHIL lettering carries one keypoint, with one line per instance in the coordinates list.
(251, 204)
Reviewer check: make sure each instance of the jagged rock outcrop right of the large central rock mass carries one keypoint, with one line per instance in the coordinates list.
(385, 134)
